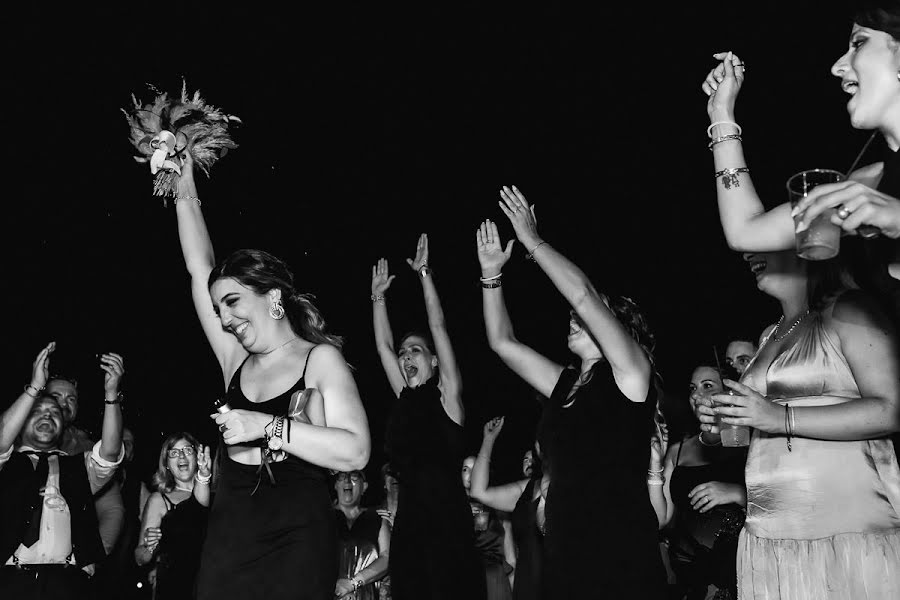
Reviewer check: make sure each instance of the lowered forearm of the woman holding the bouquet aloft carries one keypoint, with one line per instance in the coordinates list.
(329, 447)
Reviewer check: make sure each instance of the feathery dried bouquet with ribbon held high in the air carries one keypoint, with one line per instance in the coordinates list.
(162, 130)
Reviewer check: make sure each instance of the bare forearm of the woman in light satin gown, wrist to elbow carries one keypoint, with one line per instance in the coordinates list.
(858, 419)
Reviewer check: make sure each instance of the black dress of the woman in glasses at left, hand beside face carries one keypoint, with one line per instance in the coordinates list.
(183, 529)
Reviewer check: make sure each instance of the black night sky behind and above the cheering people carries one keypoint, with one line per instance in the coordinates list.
(362, 130)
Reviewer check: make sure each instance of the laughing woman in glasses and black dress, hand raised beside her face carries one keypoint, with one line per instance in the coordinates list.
(174, 521)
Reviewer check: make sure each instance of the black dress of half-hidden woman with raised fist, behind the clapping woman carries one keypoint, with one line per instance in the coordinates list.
(529, 545)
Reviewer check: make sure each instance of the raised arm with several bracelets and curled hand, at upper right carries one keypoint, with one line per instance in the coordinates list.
(747, 225)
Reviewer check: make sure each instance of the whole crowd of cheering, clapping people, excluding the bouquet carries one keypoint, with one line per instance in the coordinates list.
(807, 507)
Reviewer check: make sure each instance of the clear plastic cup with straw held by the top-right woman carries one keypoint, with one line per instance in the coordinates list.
(822, 239)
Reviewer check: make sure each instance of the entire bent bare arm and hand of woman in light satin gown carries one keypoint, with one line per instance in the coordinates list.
(869, 343)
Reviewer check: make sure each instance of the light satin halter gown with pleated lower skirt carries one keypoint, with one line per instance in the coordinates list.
(823, 521)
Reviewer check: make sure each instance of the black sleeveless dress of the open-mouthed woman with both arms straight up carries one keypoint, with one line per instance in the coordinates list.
(432, 545)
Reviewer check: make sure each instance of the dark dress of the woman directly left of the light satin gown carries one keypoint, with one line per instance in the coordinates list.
(703, 546)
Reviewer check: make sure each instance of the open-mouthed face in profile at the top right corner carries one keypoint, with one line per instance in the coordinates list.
(868, 72)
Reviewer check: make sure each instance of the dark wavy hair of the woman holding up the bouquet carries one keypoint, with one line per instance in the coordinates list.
(263, 272)
